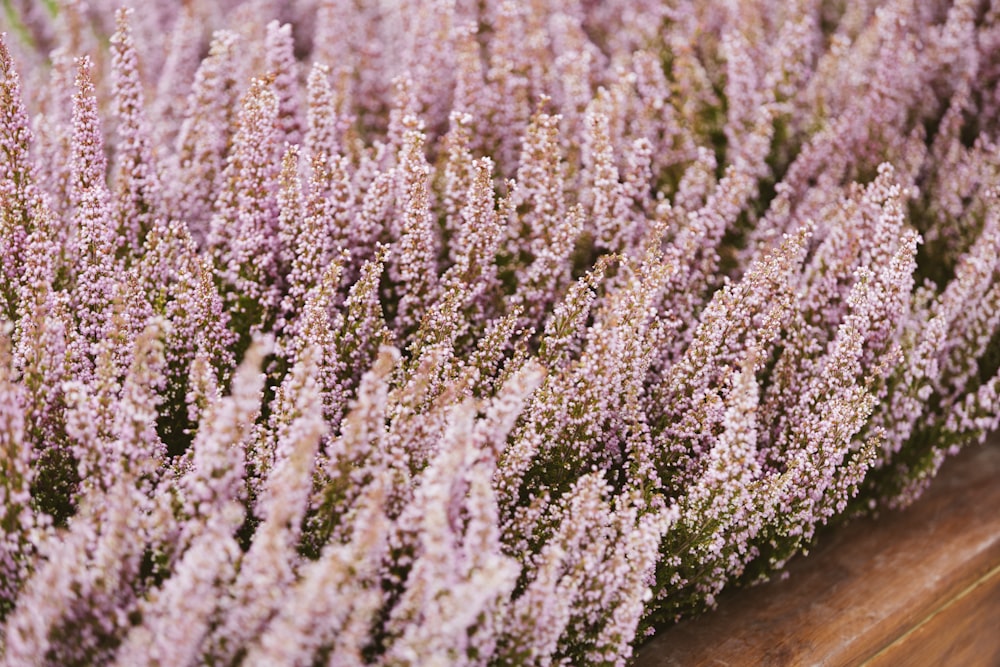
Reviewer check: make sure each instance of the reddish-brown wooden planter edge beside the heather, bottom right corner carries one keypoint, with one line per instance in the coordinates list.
(868, 585)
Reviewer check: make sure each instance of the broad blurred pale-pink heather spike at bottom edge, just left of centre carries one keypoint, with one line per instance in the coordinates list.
(458, 574)
